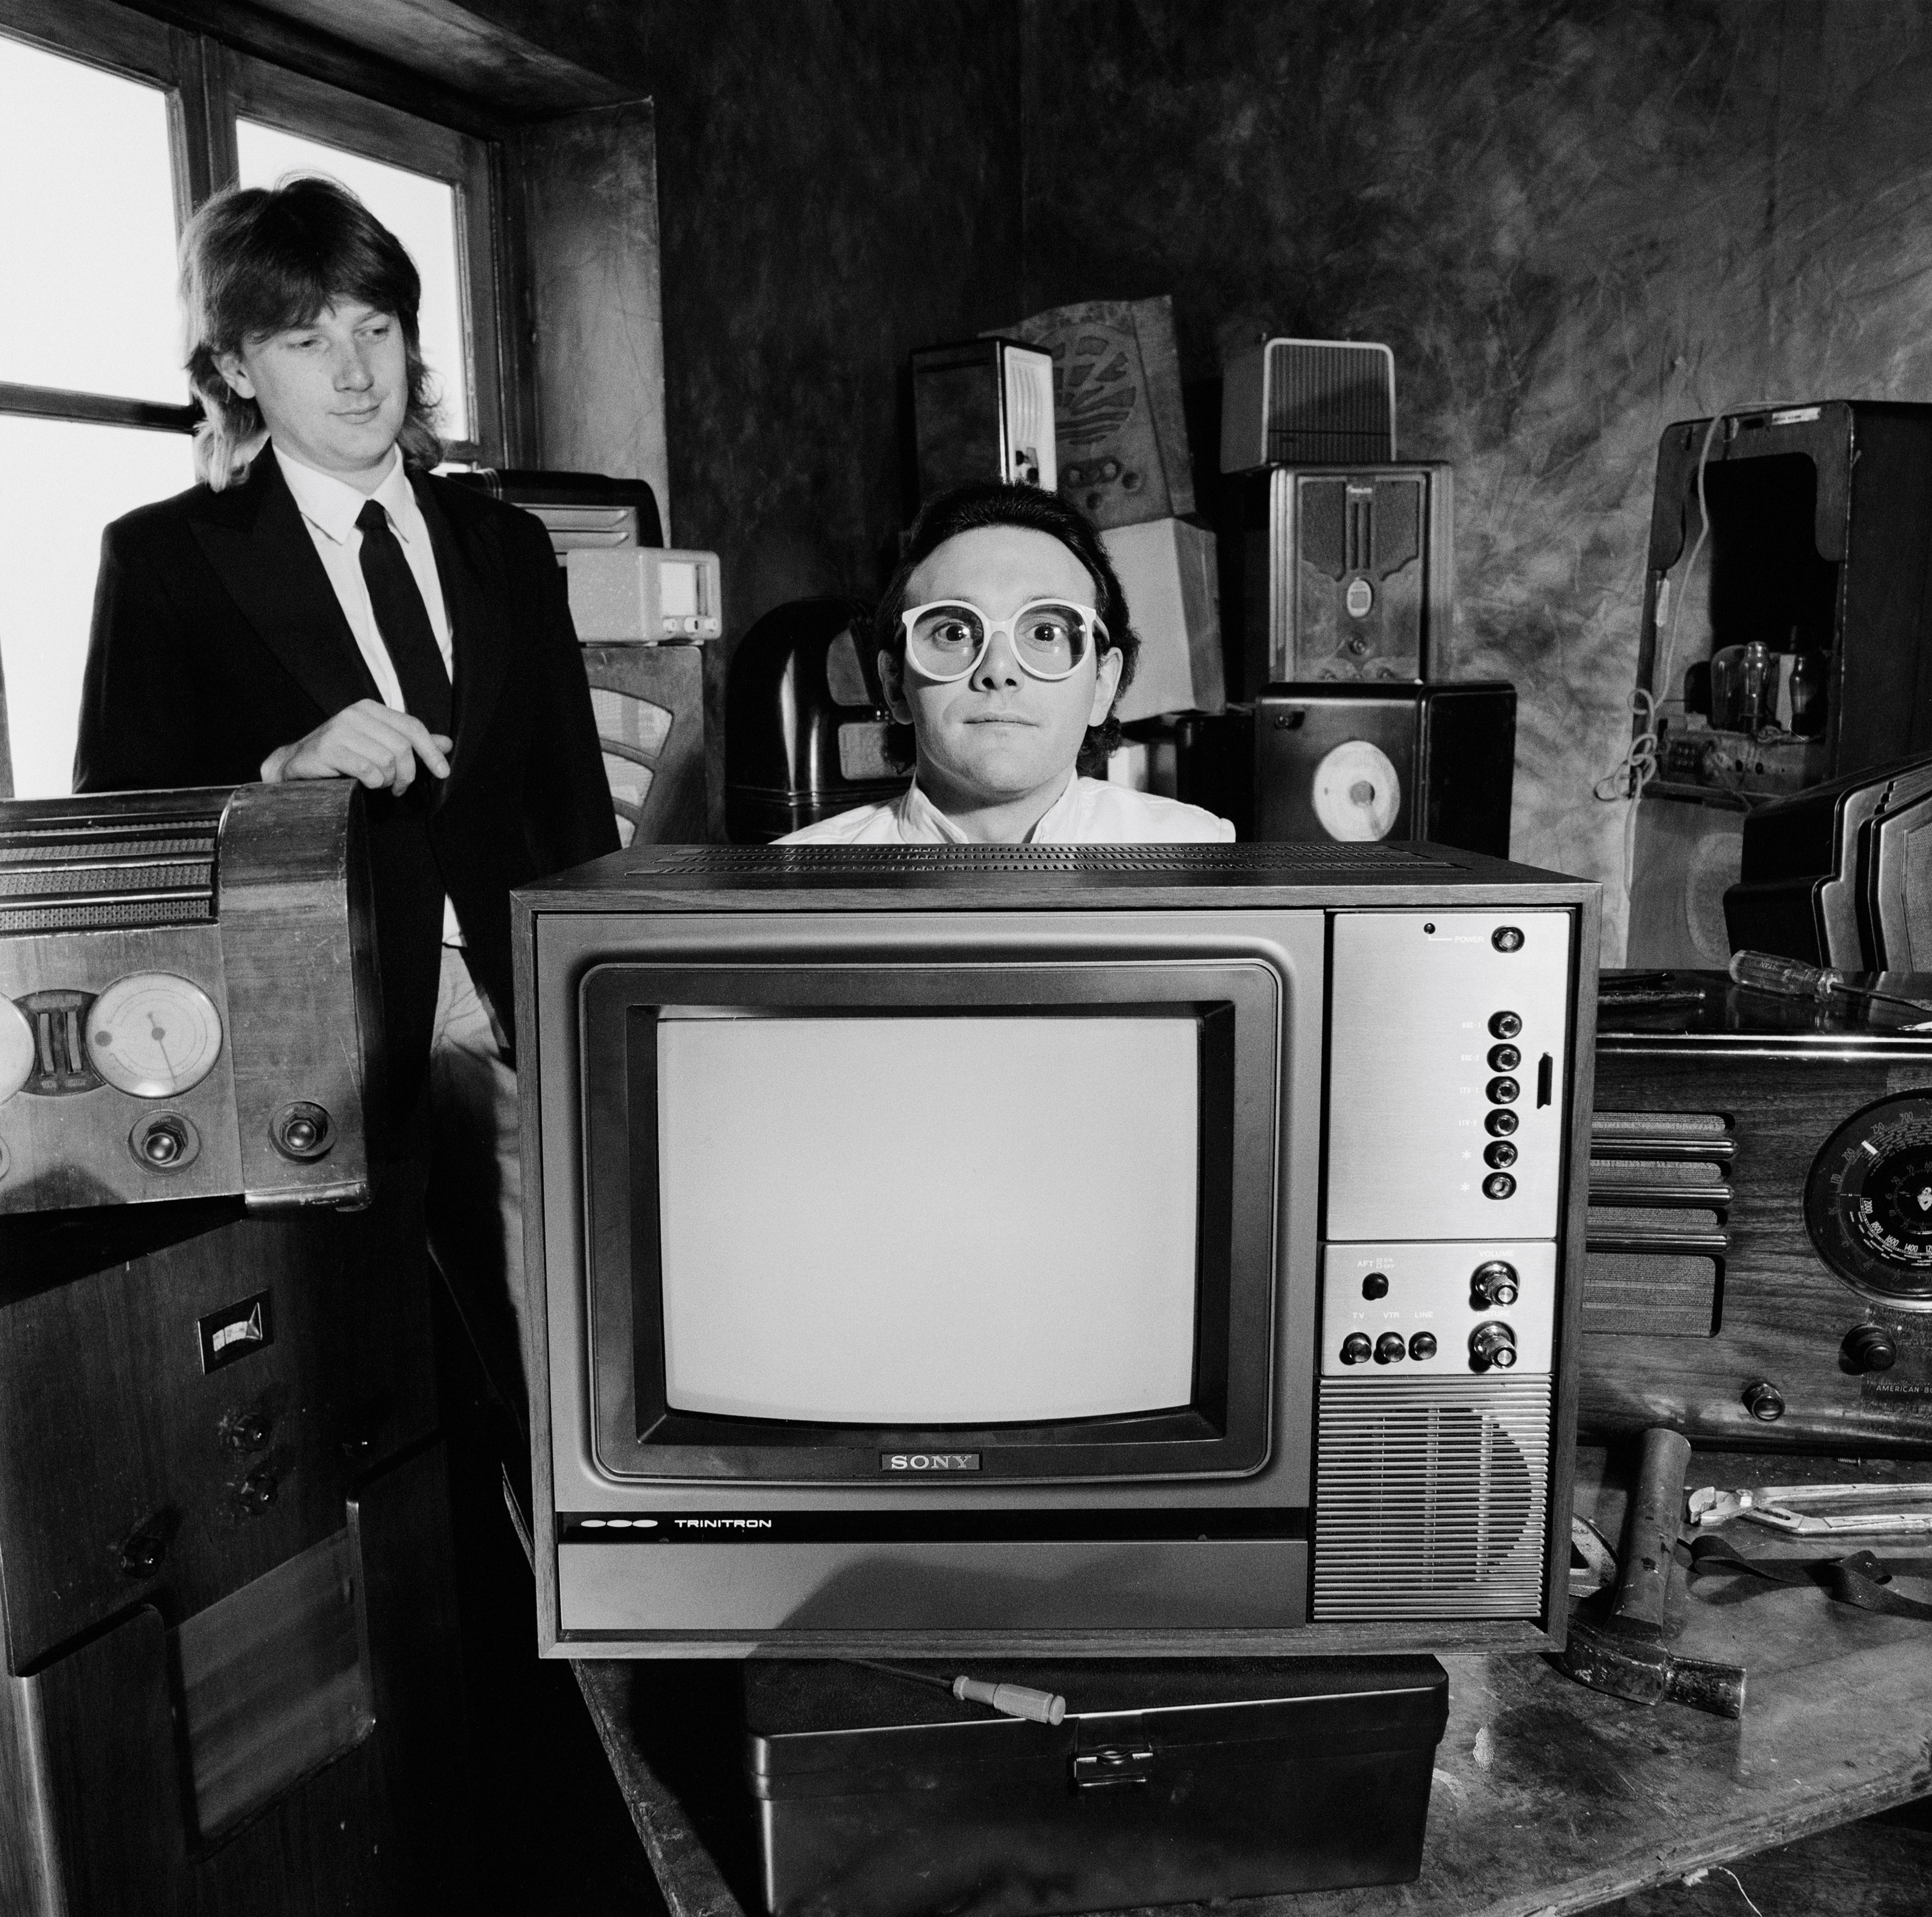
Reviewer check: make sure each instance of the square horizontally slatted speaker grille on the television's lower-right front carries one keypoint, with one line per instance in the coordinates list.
(1431, 1499)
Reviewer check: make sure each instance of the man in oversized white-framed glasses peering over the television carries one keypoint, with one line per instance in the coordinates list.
(1004, 643)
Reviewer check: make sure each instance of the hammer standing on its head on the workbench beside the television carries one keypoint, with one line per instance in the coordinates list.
(1620, 1649)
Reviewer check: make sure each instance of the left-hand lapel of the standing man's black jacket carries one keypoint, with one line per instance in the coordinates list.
(262, 552)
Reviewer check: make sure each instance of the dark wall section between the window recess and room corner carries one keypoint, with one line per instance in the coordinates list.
(838, 185)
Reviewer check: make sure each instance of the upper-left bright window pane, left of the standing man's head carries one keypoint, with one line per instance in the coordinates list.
(86, 231)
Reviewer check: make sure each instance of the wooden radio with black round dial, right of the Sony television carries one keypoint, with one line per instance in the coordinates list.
(1759, 1263)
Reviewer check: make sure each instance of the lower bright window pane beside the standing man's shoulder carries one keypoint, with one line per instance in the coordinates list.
(59, 486)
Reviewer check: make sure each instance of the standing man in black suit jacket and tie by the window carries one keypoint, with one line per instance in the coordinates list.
(324, 608)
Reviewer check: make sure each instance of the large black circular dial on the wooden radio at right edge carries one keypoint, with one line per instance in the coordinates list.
(1869, 1201)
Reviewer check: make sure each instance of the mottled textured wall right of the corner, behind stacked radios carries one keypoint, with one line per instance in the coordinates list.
(1574, 223)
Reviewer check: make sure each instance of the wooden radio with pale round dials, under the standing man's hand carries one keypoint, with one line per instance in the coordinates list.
(156, 950)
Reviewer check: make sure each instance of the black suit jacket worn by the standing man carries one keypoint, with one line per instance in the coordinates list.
(217, 639)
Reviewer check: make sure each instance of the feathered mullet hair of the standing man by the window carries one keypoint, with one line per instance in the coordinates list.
(262, 260)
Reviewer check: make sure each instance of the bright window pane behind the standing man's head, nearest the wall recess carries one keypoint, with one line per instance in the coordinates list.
(418, 212)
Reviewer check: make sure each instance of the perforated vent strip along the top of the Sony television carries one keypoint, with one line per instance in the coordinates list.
(778, 861)
